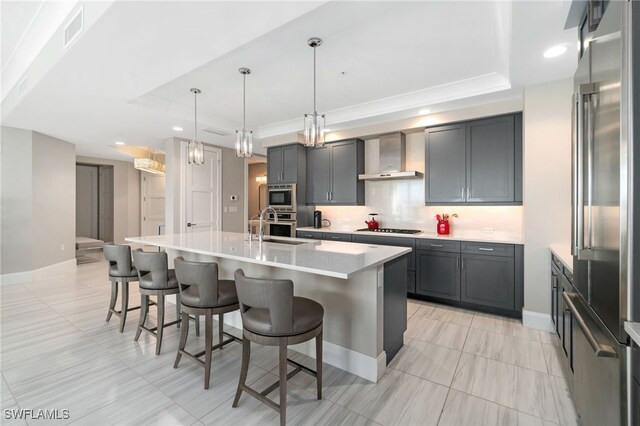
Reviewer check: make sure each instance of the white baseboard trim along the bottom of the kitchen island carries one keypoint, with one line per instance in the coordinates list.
(354, 362)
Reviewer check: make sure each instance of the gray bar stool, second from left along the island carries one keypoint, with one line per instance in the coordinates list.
(156, 279)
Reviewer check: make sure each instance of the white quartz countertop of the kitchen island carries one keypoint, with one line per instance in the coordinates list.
(330, 258)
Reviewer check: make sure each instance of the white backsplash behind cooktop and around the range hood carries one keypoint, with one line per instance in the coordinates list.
(400, 203)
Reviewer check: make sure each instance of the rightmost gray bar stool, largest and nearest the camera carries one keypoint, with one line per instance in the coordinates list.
(272, 316)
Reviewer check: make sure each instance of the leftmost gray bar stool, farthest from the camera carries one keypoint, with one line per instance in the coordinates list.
(120, 271)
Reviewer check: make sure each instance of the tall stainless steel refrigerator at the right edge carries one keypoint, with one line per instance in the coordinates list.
(603, 239)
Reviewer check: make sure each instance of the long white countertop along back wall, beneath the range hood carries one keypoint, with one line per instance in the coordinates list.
(479, 236)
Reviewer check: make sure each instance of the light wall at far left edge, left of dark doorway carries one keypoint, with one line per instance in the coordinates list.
(38, 201)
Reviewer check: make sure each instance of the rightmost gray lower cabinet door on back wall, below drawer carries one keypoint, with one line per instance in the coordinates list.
(488, 280)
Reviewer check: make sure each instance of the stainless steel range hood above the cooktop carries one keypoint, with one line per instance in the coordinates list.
(392, 159)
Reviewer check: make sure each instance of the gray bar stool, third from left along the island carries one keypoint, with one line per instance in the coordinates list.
(202, 293)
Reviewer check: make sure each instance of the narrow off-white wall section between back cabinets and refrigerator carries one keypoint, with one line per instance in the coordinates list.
(547, 184)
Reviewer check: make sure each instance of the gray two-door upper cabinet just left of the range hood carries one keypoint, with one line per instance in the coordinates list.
(332, 174)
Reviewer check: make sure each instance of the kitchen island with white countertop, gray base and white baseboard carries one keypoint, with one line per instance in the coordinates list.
(362, 288)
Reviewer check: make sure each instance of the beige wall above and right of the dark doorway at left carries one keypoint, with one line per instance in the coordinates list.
(126, 197)
